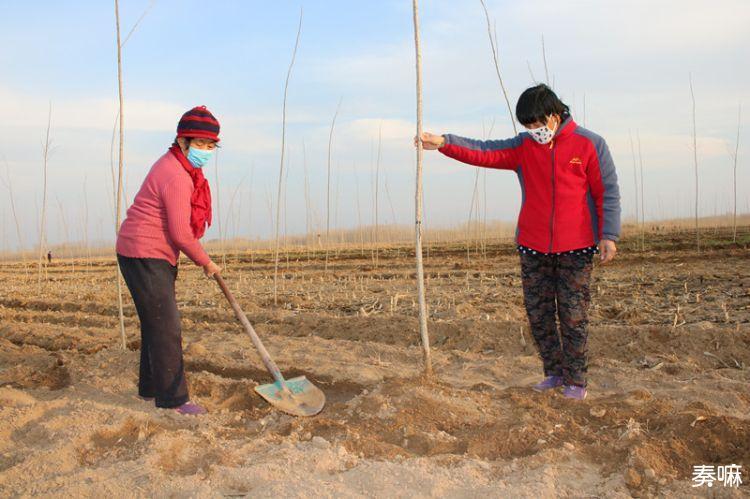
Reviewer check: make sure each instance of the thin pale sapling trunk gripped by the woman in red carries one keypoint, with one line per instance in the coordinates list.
(418, 203)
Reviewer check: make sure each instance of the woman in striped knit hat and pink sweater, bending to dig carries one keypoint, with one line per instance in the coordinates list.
(169, 215)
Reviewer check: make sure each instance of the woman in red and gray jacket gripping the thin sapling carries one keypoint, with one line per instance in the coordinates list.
(570, 211)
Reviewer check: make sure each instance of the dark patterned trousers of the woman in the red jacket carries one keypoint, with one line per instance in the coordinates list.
(557, 286)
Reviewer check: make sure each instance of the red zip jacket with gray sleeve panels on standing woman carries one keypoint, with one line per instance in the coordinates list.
(570, 196)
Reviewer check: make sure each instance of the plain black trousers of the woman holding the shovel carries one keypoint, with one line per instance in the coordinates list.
(151, 284)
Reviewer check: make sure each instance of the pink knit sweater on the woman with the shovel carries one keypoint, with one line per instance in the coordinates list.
(157, 225)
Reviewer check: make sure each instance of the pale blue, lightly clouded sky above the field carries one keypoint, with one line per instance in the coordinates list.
(631, 60)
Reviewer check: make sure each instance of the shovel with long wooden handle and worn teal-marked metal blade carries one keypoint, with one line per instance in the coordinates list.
(296, 396)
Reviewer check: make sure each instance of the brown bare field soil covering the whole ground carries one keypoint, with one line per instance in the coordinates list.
(668, 377)
